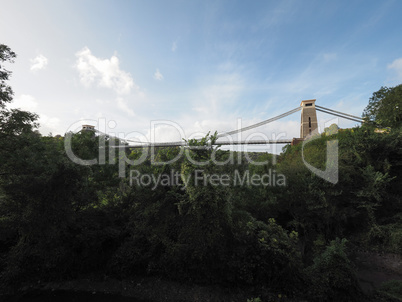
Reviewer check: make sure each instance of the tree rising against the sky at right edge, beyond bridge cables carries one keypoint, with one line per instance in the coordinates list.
(385, 107)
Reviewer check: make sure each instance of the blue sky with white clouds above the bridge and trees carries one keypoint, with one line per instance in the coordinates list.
(202, 65)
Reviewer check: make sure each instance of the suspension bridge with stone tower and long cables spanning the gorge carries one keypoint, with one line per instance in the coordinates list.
(308, 126)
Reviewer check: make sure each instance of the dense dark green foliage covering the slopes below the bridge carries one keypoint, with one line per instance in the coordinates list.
(61, 220)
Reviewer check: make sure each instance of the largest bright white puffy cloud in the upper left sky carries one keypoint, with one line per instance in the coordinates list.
(104, 72)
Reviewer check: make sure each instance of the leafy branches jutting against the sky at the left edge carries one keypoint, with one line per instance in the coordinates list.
(6, 93)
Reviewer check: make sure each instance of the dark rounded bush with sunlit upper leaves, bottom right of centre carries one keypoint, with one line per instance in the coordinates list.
(264, 253)
